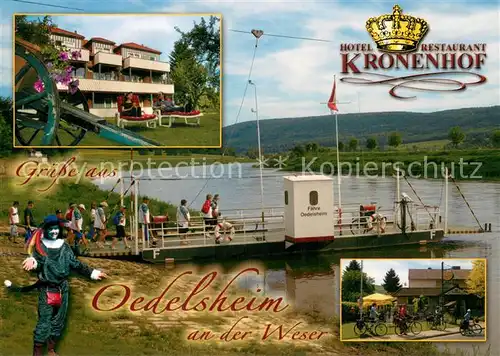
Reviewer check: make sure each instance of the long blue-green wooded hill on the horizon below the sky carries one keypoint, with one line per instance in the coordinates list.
(278, 135)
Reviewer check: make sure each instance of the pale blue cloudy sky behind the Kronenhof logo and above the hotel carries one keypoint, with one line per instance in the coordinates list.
(292, 77)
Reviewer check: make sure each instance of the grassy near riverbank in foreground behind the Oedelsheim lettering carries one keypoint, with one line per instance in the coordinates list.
(143, 333)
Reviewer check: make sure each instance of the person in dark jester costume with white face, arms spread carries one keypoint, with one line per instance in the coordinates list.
(52, 259)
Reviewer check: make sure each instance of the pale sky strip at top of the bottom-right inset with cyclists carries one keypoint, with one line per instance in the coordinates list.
(378, 268)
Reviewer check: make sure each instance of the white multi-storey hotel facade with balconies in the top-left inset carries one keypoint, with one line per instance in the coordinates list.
(107, 69)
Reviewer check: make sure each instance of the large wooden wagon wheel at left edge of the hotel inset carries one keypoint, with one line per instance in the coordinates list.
(36, 113)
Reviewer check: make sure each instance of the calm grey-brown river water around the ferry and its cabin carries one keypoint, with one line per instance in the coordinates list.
(312, 282)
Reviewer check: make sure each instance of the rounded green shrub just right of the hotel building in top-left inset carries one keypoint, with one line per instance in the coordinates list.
(190, 79)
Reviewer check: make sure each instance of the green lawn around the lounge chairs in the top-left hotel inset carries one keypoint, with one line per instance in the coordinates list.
(208, 134)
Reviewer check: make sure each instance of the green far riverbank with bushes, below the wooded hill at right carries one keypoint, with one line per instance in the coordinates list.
(480, 164)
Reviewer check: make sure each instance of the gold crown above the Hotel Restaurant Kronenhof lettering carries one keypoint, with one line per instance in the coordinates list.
(397, 32)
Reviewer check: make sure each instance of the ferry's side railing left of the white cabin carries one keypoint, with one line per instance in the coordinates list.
(250, 229)
